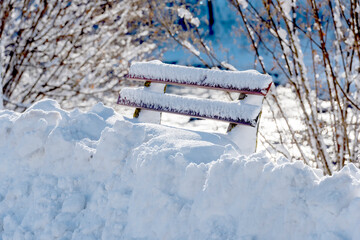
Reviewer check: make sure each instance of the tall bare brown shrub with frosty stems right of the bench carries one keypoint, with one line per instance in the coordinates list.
(327, 77)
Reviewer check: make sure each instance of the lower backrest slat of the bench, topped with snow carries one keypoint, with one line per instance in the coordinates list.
(233, 112)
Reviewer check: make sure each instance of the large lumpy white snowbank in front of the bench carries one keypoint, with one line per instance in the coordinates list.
(98, 175)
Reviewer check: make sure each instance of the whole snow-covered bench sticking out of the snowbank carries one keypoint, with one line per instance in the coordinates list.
(244, 114)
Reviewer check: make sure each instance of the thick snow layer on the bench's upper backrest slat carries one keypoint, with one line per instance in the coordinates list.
(250, 79)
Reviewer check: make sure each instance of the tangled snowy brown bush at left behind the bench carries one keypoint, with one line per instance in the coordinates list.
(64, 47)
